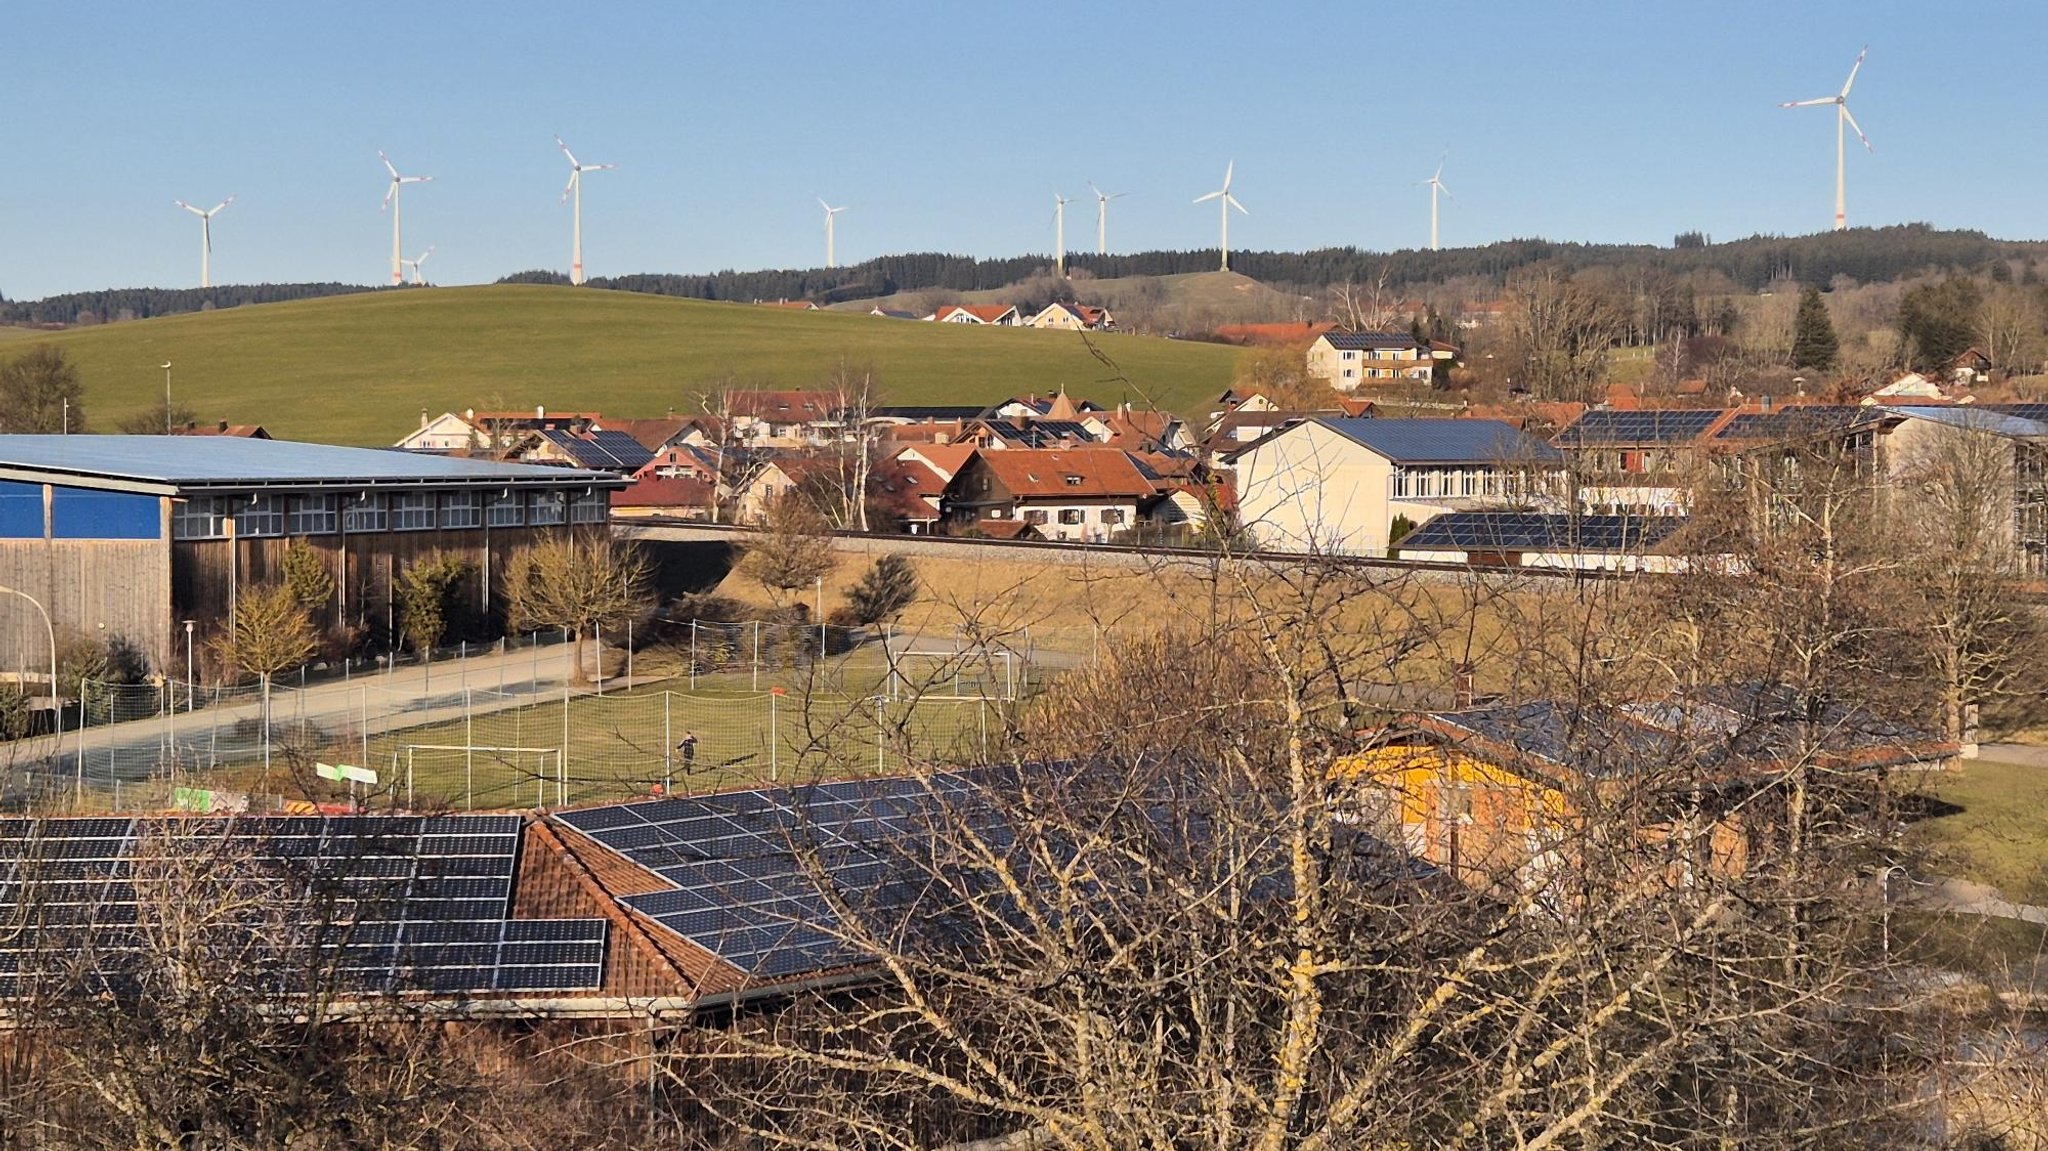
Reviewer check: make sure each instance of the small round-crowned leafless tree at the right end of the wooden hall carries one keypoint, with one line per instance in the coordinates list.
(577, 583)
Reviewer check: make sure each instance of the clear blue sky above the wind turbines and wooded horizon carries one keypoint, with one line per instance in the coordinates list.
(951, 126)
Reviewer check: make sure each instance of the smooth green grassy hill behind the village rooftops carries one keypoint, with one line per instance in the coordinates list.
(359, 370)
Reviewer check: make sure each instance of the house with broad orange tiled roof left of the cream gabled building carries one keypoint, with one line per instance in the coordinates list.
(1078, 495)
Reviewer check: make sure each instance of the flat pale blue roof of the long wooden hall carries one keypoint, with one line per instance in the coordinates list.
(220, 462)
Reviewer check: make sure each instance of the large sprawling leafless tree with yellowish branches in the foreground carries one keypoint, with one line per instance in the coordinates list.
(1172, 921)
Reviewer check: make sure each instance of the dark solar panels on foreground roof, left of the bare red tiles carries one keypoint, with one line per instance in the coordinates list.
(398, 902)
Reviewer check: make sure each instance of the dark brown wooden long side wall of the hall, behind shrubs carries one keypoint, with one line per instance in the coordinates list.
(208, 570)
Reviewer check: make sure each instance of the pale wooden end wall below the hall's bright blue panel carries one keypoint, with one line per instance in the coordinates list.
(85, 583)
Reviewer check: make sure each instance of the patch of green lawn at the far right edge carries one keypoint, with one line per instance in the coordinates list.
(2000, 835)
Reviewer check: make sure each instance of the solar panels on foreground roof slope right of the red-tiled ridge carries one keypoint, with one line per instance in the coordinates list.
(751, 871)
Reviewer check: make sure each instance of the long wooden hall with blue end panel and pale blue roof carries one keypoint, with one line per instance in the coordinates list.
(134, 536)
